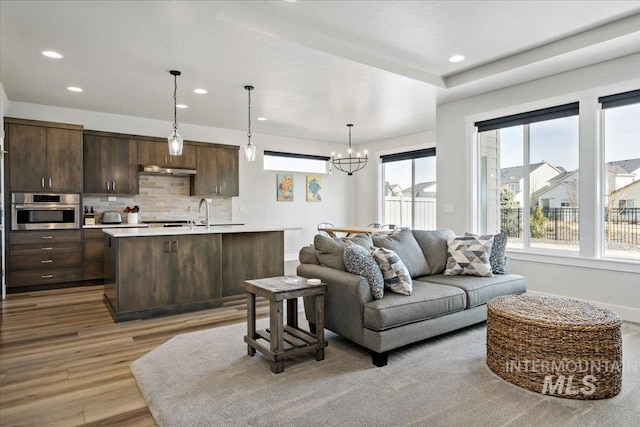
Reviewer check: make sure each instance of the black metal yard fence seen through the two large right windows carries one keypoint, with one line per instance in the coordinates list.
(621, 225)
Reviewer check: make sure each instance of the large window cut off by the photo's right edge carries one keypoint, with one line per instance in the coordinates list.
(621, 198)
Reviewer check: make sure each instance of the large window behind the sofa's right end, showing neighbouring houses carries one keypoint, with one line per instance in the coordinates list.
(529, 178)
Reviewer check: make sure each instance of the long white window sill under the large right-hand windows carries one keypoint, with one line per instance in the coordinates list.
(627, 266)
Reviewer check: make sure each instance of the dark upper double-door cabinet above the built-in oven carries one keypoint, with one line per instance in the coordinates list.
(43, 156)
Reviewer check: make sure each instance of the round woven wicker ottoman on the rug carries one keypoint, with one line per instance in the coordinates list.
(555, 346)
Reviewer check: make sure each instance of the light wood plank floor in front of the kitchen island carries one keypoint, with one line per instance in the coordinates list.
(64, 362)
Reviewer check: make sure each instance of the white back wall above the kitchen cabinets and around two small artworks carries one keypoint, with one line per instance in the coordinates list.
(257, 187)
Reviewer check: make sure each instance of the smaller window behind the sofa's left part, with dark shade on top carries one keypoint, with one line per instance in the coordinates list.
(409, 189)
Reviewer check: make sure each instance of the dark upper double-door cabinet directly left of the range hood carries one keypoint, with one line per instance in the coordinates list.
(110, 164)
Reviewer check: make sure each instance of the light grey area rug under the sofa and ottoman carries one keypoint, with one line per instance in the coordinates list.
(206, 378)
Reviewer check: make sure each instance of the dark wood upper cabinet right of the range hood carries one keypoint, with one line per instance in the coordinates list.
(217, 172)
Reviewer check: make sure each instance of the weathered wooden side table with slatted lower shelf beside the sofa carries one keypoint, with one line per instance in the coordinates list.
(284, 340)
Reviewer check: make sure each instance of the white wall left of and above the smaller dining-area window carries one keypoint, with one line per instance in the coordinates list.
(368, 181)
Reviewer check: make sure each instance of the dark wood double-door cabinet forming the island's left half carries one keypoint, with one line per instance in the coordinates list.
(154, 274)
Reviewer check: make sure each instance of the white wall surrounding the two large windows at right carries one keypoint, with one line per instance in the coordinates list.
(616, 285)
